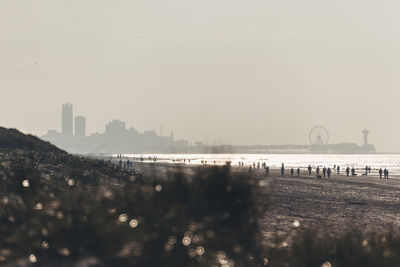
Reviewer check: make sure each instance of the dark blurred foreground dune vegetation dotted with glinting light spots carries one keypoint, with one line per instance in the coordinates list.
(58, 209)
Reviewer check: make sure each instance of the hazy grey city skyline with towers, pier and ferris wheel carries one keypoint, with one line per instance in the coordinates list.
(118, 138)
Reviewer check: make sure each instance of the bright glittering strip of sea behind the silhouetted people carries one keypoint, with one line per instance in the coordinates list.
(375, 161)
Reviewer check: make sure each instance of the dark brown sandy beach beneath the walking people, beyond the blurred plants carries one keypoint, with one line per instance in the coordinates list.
(367, 203)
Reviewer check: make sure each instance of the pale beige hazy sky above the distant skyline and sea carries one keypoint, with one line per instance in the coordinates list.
(217, 71)
